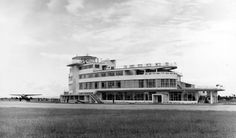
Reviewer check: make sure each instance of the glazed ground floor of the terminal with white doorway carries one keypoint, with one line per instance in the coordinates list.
(159, 97)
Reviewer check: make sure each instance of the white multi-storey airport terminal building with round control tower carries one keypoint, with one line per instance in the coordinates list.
(94, 81)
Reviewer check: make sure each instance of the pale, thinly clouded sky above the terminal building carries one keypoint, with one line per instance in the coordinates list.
(38, 38)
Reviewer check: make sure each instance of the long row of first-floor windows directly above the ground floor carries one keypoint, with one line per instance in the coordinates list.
(148, 83)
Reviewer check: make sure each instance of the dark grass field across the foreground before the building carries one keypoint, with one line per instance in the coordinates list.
(60, 123)
